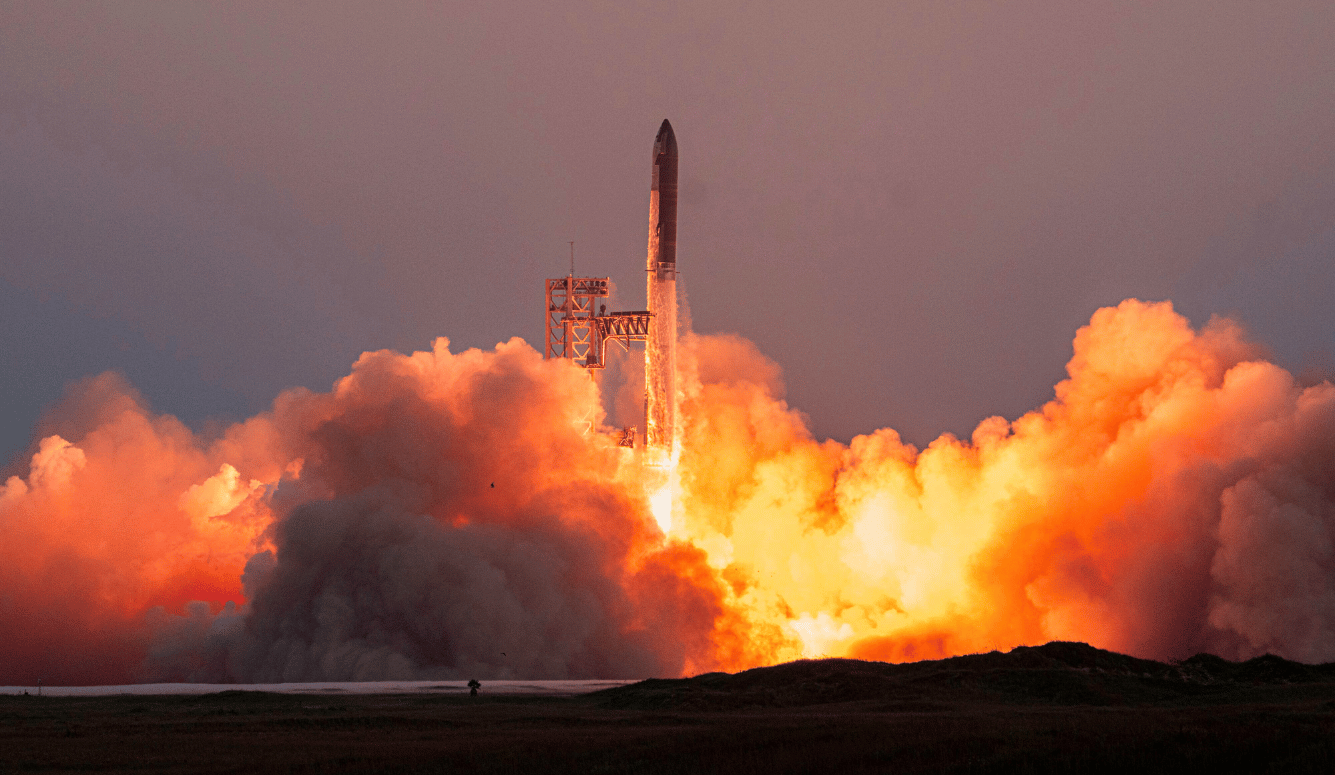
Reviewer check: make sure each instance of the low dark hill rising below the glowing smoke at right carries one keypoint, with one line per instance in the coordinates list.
(1063, 674)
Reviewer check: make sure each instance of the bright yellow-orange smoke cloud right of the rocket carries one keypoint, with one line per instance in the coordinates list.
(1177, 497)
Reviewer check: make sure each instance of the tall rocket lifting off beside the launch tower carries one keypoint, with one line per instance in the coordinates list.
(661, 345)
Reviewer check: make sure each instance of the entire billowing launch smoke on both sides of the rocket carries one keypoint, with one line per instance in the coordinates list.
(448, 516)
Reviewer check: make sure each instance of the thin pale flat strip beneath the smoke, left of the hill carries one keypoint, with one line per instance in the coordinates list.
(489, 688)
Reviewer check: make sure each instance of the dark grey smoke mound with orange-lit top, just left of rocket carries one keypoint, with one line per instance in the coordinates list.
(451, 522)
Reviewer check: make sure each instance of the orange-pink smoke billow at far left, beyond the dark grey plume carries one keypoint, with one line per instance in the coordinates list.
(137, 516)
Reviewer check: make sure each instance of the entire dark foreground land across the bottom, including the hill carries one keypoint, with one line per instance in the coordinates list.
(1053, 709)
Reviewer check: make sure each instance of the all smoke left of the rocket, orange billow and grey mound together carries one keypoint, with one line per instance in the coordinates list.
(435, 517)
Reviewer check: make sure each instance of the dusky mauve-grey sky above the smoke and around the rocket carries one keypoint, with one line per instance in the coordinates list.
(911, 207)
